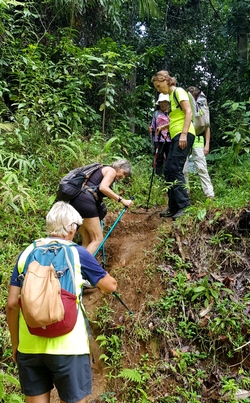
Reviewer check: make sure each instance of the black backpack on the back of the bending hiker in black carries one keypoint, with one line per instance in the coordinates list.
(70, 186)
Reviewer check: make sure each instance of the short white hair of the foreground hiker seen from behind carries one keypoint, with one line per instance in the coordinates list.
(60, 218)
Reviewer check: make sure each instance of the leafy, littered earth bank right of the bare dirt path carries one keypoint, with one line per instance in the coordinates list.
(194, 333)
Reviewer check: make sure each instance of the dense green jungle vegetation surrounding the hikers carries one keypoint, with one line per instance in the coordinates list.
(75, 86)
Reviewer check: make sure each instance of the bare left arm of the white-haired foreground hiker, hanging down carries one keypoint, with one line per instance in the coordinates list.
(12, 315)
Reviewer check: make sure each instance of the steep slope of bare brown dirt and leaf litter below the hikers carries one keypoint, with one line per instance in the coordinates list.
(216, 248)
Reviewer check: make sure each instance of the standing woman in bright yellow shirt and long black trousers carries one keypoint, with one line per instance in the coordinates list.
(182, 134)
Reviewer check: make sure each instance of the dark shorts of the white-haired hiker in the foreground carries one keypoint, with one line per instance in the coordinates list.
(71, 374)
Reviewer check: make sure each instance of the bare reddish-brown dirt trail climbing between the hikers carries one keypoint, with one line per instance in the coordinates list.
(127, 250)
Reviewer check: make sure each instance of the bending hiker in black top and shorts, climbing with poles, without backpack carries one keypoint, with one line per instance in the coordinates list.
(87, 203)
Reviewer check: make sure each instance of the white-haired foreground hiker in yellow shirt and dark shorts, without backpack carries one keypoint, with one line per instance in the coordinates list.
(62, 361)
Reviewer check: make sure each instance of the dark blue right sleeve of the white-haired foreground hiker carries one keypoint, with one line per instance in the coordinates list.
(90, 268)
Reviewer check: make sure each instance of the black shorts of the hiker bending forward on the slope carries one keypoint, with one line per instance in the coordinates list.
(86, 205)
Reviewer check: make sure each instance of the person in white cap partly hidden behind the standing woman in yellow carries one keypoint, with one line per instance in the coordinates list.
(161, 139)
